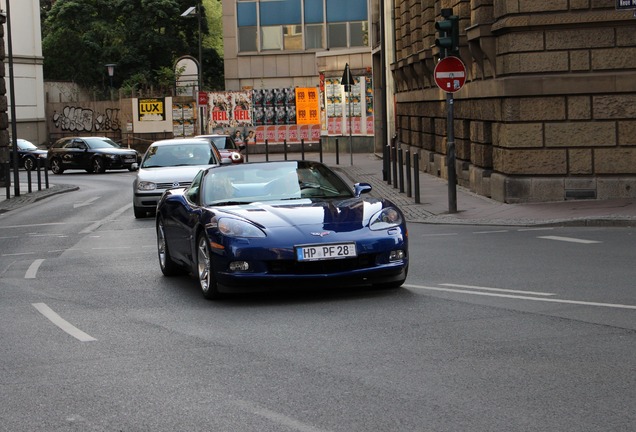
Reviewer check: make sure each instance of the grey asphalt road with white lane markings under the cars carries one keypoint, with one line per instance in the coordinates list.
(497, 329)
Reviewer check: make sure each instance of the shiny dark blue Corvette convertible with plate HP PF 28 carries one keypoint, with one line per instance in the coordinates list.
(267, 225)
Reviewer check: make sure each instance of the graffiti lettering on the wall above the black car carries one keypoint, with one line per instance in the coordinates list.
(78, 119)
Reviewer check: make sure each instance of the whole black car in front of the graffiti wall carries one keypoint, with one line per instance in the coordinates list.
(93, 154)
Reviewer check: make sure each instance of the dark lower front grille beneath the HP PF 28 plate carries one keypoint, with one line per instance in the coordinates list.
(320, 267)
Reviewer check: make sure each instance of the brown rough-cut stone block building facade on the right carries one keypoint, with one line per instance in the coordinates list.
(548, 111)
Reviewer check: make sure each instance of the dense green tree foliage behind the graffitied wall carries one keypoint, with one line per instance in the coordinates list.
(144, 38)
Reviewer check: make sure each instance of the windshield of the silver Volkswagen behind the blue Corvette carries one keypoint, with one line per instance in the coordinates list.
(183, 154)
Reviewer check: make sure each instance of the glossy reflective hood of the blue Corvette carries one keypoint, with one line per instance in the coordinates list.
(335, 215)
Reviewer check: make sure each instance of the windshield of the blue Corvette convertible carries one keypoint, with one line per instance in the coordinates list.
(272, 181)
